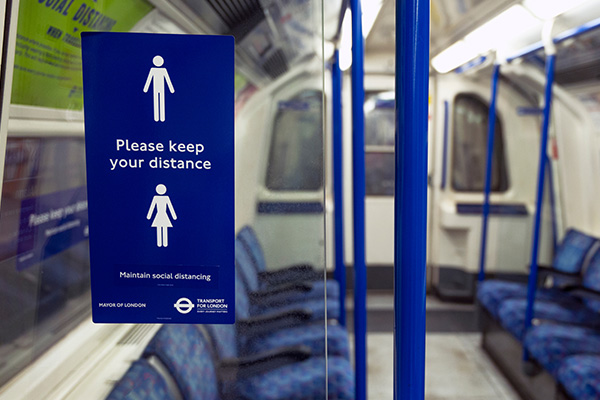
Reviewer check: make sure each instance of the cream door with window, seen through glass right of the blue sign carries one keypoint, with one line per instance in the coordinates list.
(290, 206)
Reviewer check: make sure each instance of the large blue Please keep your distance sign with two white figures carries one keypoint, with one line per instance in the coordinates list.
(159, 131)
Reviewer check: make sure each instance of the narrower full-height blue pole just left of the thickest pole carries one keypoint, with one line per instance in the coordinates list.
(358, 167)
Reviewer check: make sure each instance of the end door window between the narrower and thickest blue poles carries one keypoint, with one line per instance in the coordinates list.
(379, 144)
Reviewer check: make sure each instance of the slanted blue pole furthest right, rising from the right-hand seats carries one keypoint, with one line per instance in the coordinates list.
(533, 273)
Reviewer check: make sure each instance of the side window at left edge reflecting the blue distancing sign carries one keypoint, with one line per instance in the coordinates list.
(44, 285)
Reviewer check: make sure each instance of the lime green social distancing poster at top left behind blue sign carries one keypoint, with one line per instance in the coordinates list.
(47, 69)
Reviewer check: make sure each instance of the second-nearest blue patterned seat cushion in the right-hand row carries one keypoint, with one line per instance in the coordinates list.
(550, 344)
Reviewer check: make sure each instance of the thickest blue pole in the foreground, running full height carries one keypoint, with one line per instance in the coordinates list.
(410, 203)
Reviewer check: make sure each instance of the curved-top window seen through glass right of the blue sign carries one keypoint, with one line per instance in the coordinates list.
(296, 156)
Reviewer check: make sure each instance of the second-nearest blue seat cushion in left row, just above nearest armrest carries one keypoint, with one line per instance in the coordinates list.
(310, 335)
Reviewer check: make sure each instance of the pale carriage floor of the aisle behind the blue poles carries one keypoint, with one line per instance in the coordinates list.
(456, 366)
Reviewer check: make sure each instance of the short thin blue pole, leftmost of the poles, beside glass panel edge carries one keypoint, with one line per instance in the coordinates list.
(338, 176)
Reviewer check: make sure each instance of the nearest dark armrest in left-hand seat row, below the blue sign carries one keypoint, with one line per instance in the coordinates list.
(232, 369)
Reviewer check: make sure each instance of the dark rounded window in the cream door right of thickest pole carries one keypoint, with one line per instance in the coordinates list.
(470, 147)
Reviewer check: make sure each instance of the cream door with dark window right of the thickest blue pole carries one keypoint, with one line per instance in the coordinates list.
(460, 141)
